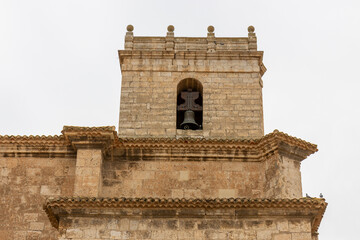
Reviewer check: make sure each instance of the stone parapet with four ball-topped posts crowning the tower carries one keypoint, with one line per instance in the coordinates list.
(208, 44)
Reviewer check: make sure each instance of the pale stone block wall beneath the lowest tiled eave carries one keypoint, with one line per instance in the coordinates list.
(187, 228)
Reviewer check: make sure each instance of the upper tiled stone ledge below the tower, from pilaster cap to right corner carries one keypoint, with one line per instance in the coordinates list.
(203, 149)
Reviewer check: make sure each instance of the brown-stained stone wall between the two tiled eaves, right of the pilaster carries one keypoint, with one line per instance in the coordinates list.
(182, 179)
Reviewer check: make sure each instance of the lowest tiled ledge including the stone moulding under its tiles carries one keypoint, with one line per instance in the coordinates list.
(313, 208)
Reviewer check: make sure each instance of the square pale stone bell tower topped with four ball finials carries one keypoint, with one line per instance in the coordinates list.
(226, 72)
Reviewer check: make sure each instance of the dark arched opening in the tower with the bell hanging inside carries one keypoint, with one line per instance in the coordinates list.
(189, 105)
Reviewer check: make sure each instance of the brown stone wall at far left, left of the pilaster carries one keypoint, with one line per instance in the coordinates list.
(25, 183)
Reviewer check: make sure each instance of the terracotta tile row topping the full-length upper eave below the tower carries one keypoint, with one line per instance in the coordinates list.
(269, 142)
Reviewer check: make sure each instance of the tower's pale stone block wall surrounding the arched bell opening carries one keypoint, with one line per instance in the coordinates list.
(232, 97)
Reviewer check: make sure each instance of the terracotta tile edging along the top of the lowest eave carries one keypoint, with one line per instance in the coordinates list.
(53, 205)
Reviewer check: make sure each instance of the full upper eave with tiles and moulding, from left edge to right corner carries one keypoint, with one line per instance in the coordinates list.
(149, 148)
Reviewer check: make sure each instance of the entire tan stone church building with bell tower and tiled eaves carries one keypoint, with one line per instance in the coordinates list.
(189, 160)
